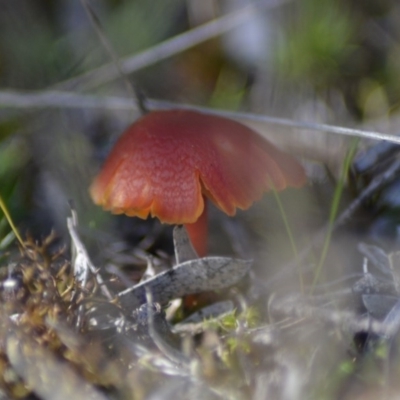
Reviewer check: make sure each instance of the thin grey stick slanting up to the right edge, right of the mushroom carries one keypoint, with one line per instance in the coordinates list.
(376, 183)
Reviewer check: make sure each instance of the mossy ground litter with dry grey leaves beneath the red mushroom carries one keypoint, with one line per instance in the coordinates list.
(64, 320)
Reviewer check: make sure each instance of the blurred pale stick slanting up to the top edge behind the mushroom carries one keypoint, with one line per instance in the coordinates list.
(169, 47)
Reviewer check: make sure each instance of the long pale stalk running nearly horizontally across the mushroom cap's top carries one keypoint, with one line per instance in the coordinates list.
(57, 99)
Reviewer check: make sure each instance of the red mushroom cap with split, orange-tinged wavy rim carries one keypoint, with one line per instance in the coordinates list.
(164, 163)
